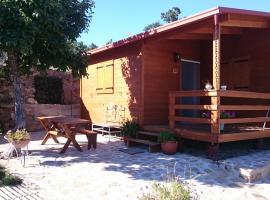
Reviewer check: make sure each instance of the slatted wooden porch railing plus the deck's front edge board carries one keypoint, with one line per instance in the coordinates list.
(215, 109)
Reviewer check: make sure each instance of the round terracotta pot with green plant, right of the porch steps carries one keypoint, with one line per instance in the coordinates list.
(169, 143)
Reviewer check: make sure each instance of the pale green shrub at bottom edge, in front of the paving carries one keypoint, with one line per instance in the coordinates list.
(167, 191)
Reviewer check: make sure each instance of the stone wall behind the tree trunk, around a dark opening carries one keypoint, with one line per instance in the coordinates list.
(70, 95)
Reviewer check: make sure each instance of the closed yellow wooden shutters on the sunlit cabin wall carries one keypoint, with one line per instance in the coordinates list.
(105, 78)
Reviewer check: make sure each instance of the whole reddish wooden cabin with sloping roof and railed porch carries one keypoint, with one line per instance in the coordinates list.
(157, 77)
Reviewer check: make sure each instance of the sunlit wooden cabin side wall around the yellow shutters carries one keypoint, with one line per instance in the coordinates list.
(126, 87)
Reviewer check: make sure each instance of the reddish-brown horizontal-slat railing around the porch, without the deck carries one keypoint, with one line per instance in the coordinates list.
(215, 108)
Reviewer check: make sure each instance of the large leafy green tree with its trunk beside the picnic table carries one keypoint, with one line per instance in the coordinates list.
(42, 34)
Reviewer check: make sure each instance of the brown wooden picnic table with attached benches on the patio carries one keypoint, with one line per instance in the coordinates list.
(67, 127)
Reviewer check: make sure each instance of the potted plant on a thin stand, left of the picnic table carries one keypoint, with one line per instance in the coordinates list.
(19, 138)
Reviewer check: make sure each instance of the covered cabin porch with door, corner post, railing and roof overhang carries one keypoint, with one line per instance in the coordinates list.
(231, 48)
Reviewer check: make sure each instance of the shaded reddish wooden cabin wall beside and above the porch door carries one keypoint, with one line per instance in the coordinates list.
(159, 77)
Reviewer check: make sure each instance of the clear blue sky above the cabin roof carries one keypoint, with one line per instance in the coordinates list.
(117, 19)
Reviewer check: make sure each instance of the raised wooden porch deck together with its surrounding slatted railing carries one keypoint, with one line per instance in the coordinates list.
(249, 123)
